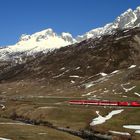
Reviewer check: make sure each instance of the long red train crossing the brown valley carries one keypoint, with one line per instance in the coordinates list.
(105, 103)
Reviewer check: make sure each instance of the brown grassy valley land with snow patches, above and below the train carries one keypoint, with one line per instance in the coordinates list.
(47, 107)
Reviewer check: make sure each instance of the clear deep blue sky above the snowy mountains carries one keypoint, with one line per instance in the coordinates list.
(74, 16)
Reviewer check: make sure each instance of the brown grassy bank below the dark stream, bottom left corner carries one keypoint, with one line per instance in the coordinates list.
(27, 132)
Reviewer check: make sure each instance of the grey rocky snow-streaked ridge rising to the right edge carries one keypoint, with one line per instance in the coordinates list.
(128, 19)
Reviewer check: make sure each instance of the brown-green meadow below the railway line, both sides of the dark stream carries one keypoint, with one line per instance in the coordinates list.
(59, 113)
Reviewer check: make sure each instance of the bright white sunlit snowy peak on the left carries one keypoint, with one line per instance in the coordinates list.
(37, 42)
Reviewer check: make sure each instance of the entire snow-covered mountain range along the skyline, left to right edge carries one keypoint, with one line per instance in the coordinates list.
(48, 40)
